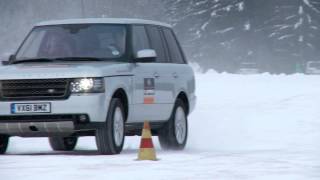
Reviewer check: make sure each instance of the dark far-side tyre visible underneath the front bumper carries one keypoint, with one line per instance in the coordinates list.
(63, 143)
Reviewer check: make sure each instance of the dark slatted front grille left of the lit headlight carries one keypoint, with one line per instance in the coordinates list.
(34, 89)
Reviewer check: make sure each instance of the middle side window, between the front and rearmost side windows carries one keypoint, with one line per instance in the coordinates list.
(157, 43)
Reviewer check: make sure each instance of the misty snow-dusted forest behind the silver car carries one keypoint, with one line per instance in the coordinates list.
(279, 36)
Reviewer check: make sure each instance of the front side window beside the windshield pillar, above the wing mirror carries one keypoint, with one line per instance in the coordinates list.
(140, 39)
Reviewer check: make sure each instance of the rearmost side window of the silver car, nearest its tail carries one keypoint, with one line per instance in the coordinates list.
(174, 49)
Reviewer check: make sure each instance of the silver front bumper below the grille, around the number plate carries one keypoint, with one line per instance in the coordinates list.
(93, 106)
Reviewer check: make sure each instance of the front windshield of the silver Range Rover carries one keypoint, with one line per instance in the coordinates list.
(100, 41)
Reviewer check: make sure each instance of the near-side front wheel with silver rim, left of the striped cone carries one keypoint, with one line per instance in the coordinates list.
(110, 136)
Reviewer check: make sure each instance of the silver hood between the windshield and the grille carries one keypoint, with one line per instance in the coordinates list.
(63, 70)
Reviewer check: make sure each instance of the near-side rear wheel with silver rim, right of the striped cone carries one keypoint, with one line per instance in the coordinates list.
(174, 134)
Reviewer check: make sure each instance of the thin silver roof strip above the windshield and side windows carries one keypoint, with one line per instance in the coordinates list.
(103, 21)
